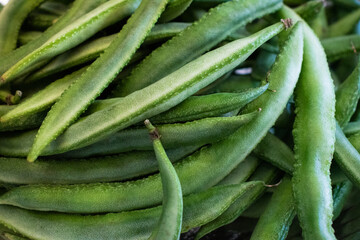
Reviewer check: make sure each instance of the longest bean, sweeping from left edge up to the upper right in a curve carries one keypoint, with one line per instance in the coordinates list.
(197, 172)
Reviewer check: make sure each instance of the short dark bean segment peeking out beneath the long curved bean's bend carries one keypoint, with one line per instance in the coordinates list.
(242, 172)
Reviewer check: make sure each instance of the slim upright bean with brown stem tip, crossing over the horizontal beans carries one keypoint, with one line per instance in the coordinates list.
(169, 224)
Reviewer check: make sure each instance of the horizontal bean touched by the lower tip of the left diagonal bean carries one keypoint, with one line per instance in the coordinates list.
(90, 170)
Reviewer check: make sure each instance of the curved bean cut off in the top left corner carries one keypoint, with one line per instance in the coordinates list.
(11, 19)
